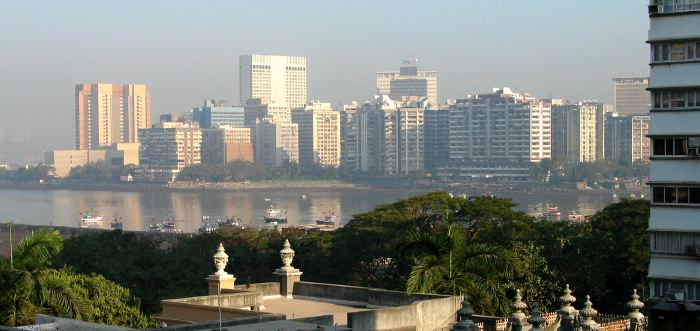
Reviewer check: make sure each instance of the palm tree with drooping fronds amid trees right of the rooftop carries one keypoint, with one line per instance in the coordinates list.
(446, 262)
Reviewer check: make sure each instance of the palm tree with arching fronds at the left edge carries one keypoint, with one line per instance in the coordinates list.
(25, 286)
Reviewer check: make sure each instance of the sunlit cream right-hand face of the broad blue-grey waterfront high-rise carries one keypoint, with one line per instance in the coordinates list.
(540, 131)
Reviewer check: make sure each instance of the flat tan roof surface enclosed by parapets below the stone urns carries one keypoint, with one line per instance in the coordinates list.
(300, 308)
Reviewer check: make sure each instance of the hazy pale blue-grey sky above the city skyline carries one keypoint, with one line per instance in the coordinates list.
(186, 51)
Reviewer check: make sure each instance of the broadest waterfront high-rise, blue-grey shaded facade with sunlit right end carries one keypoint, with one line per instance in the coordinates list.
(490, 136)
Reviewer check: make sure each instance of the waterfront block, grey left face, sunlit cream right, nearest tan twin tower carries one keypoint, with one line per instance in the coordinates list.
(168, 147)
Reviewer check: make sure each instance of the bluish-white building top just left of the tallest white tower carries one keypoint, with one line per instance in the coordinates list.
(218, 112)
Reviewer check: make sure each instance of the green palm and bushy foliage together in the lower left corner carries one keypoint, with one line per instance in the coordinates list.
(29, 286)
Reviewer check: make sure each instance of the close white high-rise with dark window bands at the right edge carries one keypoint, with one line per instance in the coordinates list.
(674, 37)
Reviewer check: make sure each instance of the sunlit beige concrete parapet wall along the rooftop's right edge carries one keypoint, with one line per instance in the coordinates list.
(433, 314)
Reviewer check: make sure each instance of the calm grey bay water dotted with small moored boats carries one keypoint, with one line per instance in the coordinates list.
(137, 209)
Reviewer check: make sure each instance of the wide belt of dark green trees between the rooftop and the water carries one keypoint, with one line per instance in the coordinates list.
(433, 243)
